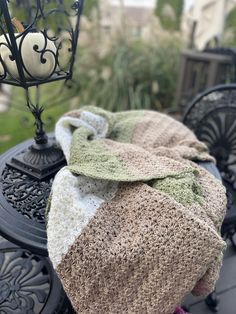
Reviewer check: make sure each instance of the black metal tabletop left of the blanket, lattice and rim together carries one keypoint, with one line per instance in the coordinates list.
(23, 200)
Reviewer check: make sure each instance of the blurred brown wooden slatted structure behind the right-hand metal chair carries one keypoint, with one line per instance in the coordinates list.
(201, 70)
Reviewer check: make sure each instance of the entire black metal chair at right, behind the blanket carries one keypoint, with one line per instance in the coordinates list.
(212, 117)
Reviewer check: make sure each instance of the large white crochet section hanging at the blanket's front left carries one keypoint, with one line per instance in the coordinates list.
(76, 201)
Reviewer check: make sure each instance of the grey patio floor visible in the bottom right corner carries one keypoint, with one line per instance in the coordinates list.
(226, 289)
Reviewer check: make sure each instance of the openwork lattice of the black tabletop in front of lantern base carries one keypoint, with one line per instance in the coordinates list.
(28, 196)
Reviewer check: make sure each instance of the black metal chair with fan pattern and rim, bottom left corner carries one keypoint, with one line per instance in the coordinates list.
(28, 283)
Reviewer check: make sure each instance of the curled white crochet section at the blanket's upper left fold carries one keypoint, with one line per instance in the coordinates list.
(66, 125)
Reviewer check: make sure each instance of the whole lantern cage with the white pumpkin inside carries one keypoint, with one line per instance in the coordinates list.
(44, 50)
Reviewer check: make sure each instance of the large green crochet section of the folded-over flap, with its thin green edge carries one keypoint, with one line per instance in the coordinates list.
(93, 158)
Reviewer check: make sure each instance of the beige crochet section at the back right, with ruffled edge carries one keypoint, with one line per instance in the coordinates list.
(161, 135)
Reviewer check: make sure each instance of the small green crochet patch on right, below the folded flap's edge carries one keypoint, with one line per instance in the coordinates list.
(184, 188)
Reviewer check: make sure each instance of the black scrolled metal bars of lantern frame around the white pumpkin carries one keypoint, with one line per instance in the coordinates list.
(15, 42)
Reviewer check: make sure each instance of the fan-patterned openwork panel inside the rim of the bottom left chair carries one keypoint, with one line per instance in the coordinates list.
(24, 282)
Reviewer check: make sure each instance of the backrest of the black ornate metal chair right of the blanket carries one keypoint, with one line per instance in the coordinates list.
(213, 119)
